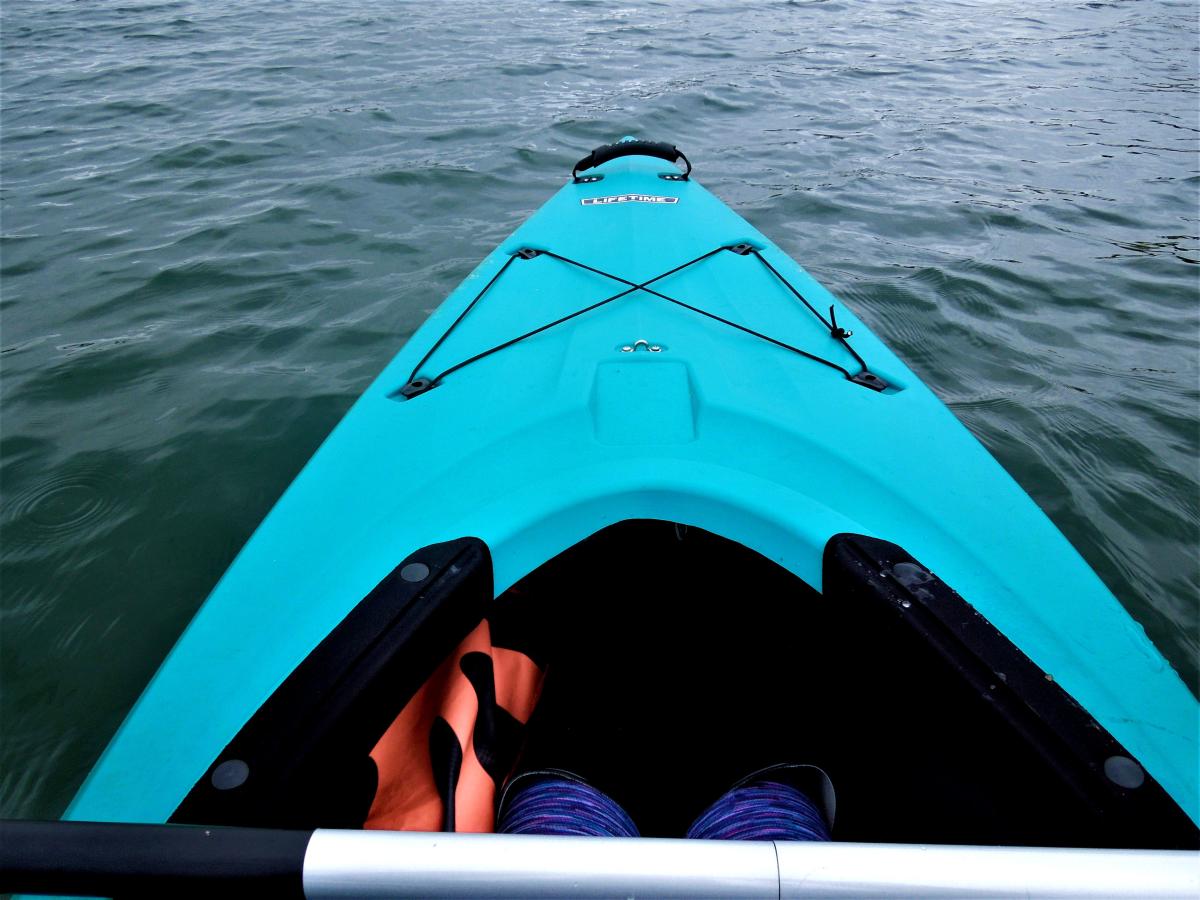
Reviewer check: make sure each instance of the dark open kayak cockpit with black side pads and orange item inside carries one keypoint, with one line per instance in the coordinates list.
(663, 664)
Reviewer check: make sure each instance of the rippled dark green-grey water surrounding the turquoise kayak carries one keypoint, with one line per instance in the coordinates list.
(221, 220)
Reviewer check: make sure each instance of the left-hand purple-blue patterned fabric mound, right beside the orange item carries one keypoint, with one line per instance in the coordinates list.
(560, 806)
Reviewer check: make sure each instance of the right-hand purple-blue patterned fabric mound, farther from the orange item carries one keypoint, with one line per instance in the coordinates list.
(763, 812)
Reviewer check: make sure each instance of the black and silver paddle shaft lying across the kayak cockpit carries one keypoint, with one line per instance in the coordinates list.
(188, 861)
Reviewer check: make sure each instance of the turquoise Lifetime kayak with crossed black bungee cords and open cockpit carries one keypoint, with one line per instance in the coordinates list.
(743, 523)
